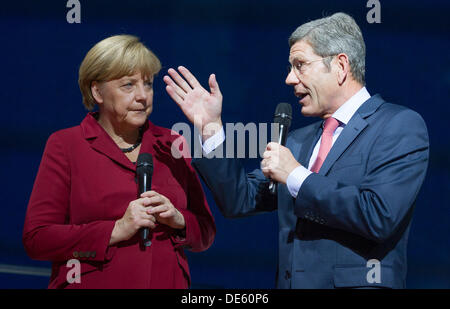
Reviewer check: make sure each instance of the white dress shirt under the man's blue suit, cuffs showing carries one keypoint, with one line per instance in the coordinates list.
(298, 175)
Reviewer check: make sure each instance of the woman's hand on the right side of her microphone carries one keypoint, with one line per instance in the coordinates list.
(163, 210)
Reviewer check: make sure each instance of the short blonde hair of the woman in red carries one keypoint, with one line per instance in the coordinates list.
(113, 58)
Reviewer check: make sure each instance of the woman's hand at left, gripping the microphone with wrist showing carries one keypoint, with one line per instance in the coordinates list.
(136, 216)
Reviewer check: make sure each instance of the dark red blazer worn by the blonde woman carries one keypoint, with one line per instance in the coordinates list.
(85, 183)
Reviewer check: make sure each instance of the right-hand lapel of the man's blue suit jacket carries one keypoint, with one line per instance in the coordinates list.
(351, 131)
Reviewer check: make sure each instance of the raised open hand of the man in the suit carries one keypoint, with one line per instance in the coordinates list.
(201, 107)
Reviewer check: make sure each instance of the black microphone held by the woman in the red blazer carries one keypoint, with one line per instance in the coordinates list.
(144, 171)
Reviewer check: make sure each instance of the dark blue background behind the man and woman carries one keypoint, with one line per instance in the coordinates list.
(245, 44)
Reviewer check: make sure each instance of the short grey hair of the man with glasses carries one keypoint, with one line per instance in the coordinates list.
(333, 35)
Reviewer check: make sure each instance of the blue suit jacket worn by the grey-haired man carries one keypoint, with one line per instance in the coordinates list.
(357, 208)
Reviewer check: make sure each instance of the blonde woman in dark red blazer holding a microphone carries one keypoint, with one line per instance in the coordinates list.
(85, 203)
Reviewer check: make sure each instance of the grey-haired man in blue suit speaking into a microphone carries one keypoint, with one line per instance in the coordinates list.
(347, 184)
